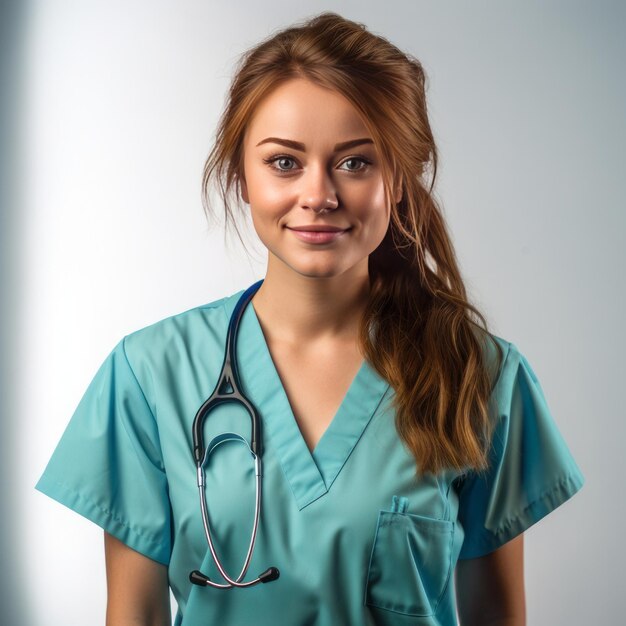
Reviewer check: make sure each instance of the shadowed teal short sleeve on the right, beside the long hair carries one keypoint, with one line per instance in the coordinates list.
(531, 470)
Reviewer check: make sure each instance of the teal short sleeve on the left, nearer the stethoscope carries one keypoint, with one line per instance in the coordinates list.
(108, 464)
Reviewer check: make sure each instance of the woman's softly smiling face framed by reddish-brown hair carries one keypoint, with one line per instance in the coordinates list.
(297, 173)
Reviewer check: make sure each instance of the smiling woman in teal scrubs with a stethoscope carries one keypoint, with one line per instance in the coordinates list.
(404, 448)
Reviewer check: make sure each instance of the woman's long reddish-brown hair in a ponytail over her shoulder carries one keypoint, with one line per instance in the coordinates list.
(418, 330)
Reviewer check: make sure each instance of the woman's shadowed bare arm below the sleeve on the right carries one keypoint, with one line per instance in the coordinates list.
(490, 588)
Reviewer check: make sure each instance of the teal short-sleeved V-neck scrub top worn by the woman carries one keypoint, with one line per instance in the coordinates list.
(358, 539)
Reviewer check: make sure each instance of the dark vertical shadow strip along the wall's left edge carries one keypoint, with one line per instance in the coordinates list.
(13, 593)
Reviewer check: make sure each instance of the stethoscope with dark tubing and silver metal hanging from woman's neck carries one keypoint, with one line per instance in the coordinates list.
(229, 378)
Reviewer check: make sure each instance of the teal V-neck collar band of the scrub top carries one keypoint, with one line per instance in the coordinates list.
(310, 474)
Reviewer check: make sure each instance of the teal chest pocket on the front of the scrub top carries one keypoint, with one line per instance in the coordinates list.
(411, 561)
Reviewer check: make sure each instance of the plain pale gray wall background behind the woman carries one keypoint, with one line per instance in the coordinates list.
(108, 110)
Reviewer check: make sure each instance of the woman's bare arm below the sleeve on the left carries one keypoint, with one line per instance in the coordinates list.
(137, 587)
